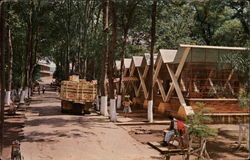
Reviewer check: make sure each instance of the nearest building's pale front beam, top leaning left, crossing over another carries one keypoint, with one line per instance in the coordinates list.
(176, 86)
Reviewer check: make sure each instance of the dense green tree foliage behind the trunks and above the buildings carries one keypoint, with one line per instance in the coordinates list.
(76, 28)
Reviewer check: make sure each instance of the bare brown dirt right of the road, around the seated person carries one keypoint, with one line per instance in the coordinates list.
(220, 147)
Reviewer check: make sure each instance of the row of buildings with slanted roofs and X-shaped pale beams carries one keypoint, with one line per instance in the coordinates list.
(184, 77)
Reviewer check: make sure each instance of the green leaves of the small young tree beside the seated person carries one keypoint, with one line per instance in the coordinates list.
(197, 123)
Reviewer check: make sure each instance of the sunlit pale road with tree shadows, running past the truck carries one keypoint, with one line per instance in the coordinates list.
(50, 135)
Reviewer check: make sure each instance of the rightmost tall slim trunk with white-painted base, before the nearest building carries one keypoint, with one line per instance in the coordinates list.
(151, 69)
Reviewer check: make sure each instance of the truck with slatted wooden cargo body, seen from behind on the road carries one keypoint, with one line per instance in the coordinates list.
(77, 95)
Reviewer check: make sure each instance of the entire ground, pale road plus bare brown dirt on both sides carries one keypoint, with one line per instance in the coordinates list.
(48, 134)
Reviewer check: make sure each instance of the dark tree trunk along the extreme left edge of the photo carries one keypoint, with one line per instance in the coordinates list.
(2, 73)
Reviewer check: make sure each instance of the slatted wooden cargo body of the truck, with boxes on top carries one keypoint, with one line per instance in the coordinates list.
(78, 90)
